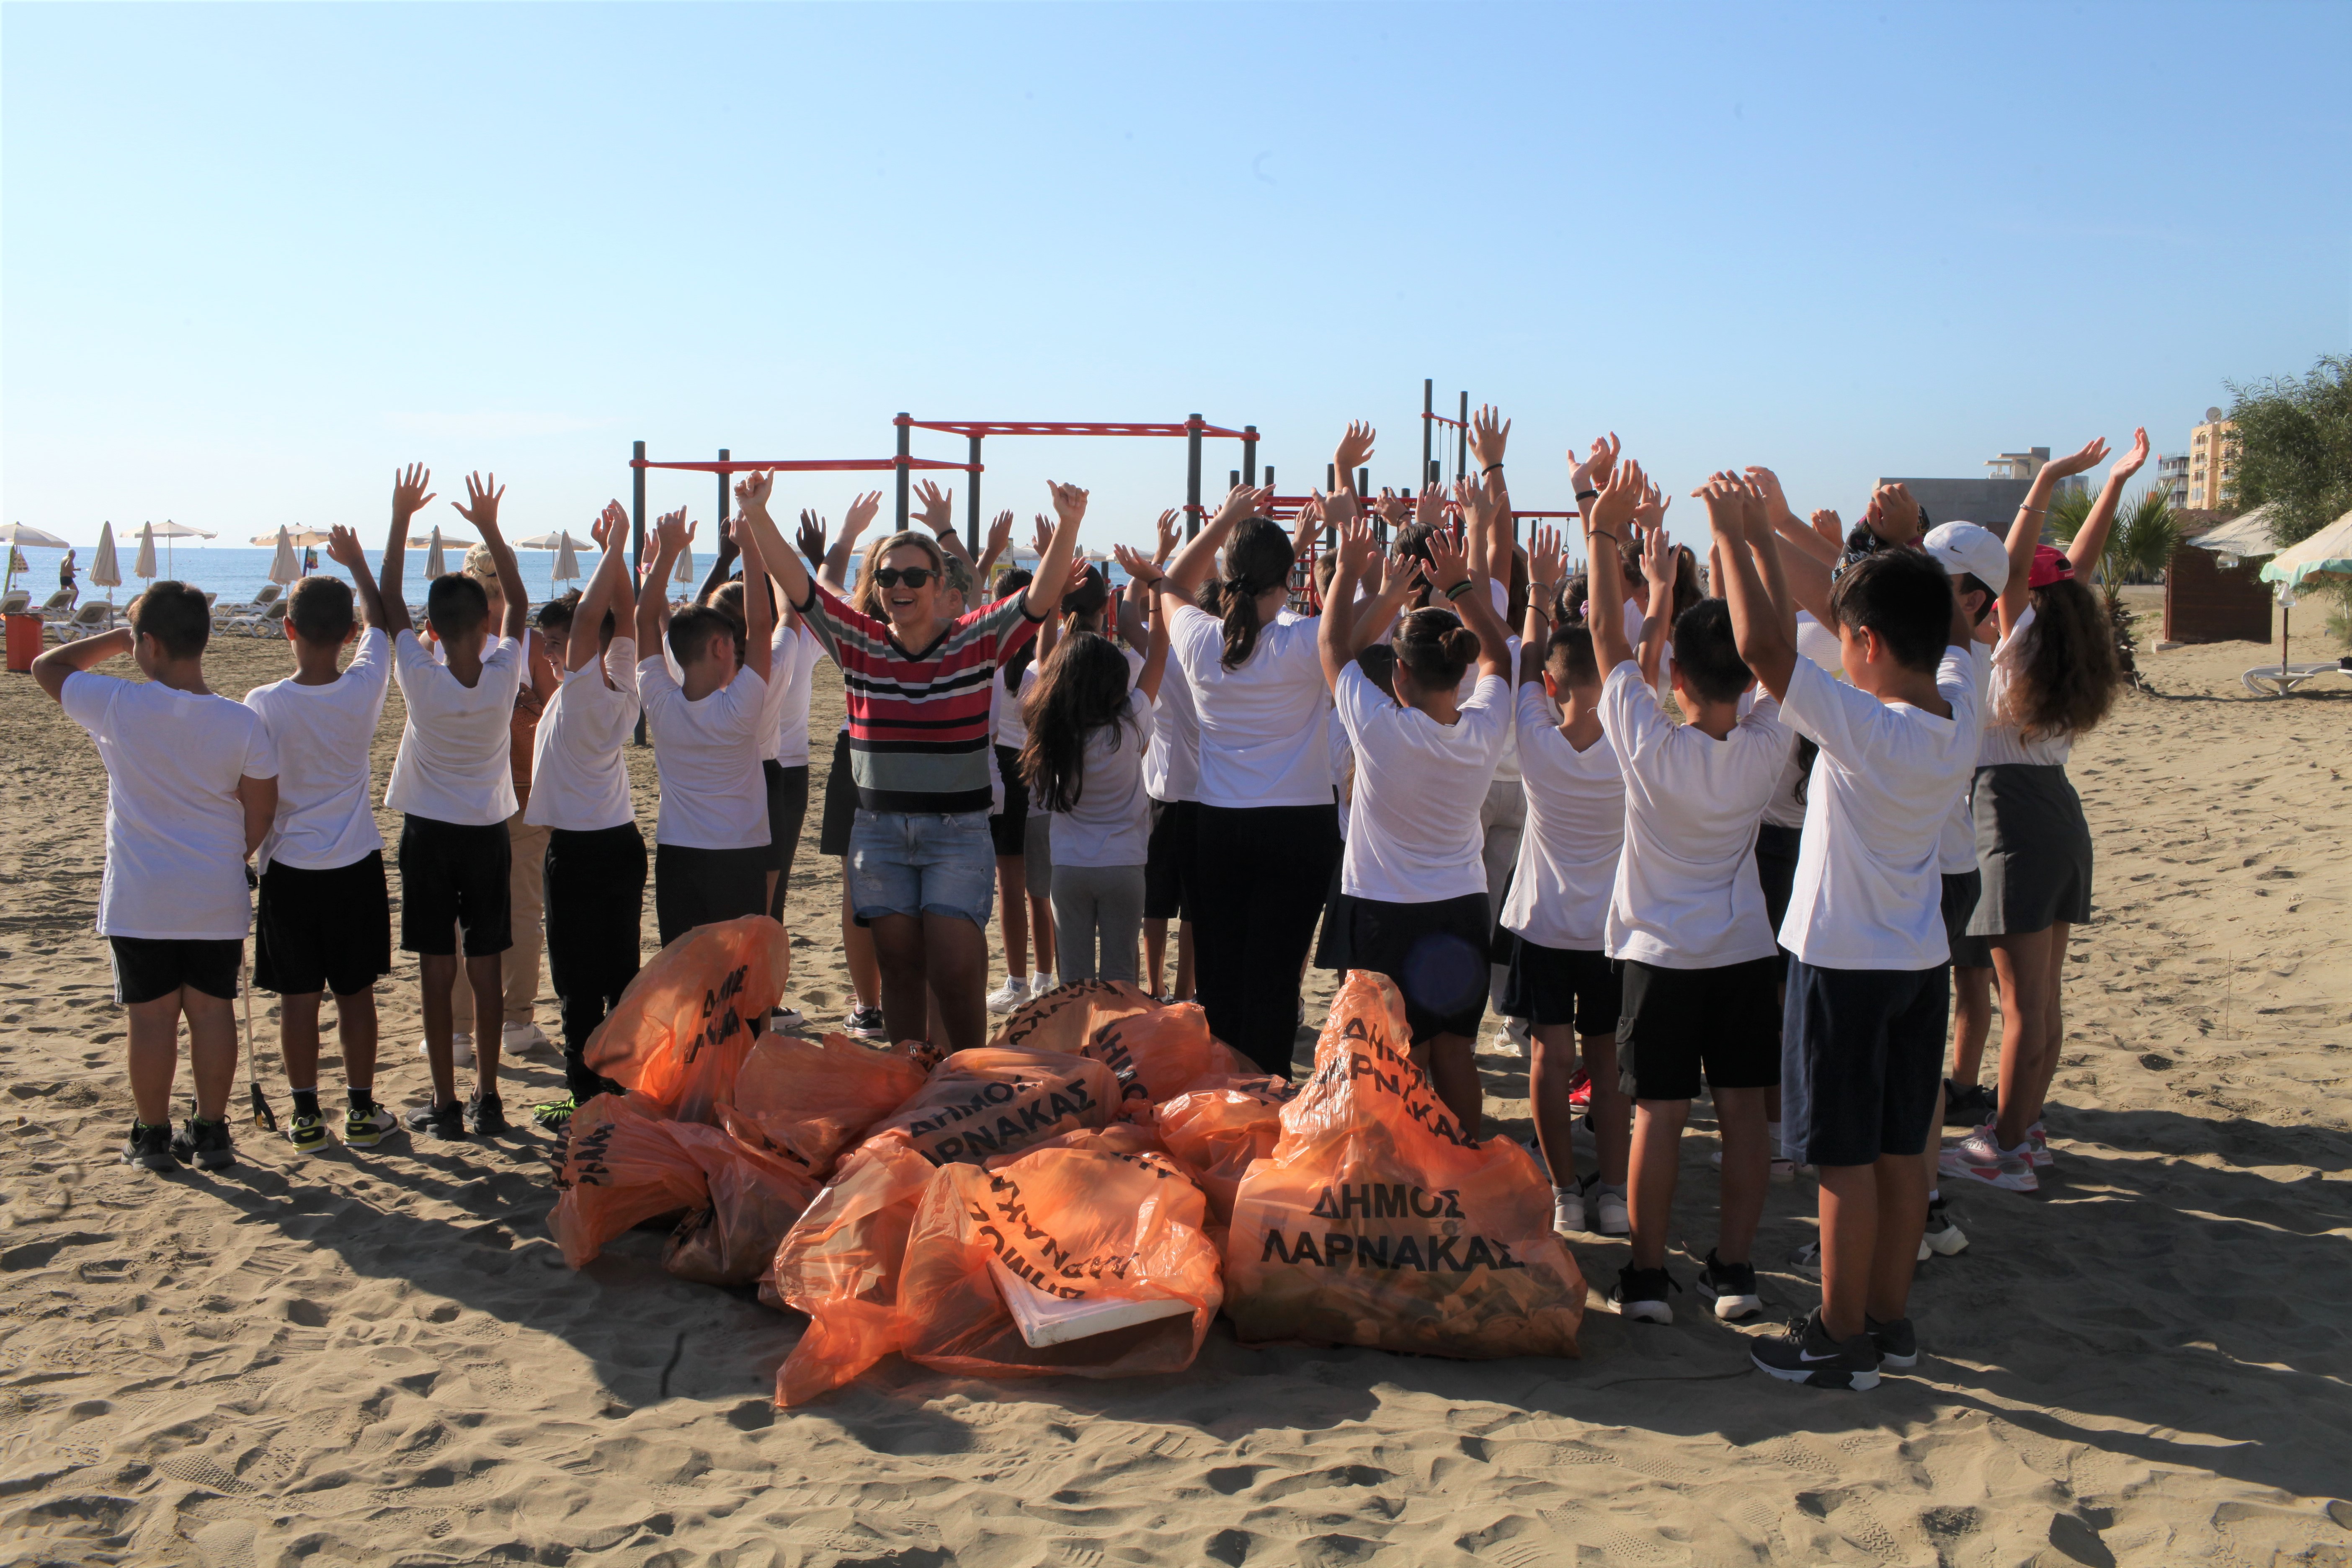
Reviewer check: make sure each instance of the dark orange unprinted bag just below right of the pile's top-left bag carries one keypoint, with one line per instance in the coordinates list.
(813, 1099)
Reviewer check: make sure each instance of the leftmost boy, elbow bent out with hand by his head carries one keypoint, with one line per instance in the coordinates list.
(192, 784)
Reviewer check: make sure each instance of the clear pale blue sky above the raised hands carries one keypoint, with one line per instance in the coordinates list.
(255, 257)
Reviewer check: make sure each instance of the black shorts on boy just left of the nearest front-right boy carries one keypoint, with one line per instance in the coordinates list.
(1678, 1021)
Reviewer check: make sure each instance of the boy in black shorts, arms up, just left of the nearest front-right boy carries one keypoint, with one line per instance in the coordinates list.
(1688, 916)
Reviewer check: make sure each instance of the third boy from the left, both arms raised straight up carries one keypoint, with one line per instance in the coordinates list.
(455, 786)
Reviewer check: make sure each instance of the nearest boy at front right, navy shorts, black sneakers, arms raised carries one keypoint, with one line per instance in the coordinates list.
(1866, 981)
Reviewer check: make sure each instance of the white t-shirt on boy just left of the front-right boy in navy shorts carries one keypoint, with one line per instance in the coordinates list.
(1688, 892)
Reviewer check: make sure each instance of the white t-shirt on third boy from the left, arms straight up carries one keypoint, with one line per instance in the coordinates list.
(455, 760)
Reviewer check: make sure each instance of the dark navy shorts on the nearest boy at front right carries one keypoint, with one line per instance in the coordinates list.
(1864, 1059)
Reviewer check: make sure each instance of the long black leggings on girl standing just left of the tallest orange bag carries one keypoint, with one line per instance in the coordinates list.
(1259, 880)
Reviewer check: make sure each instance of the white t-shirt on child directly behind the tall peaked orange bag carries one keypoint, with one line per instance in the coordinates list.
(1419, 786)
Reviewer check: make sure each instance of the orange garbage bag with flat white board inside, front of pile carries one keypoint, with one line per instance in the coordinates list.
(1064, 1261)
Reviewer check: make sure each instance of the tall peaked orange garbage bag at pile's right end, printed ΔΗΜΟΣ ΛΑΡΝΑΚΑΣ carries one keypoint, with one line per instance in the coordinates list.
(1377, 1224)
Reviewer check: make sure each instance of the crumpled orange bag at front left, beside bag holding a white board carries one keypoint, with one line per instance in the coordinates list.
(841, 1266)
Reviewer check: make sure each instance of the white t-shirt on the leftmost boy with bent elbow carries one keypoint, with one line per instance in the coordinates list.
(175, 826)
